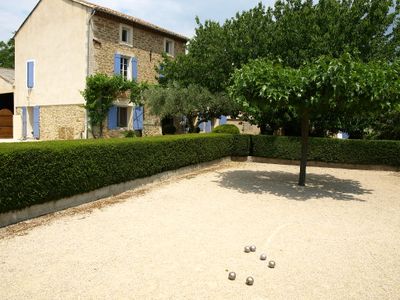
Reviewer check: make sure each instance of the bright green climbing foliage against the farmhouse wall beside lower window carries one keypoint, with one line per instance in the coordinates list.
(100, 93)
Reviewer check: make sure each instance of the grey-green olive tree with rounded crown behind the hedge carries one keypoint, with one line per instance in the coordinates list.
(195, 103)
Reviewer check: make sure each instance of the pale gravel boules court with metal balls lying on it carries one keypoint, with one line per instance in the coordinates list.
(338, 238)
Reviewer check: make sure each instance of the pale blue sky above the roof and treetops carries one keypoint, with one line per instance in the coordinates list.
(176, 15)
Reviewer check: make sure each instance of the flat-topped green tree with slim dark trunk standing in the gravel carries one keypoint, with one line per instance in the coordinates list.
(345, 85)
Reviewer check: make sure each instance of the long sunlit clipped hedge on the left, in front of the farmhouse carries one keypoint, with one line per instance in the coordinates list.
(34, 173)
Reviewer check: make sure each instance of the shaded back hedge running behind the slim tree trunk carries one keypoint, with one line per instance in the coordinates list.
(363, 152)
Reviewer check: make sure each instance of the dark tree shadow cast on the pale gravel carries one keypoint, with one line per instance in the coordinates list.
(284, 184)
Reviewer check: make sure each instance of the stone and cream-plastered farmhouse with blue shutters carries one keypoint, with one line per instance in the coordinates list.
(64, 41)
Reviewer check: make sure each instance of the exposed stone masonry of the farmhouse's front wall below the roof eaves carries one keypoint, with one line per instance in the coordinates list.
(147, 47)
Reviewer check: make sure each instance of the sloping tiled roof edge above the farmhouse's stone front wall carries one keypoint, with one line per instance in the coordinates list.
(143, 23)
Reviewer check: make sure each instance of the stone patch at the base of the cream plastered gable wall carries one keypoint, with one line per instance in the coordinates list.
(62, 122)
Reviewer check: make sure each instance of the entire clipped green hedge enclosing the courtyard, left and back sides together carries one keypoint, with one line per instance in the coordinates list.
(34, 173)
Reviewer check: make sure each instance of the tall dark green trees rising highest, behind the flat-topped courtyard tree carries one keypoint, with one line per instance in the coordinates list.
(294, 32)
